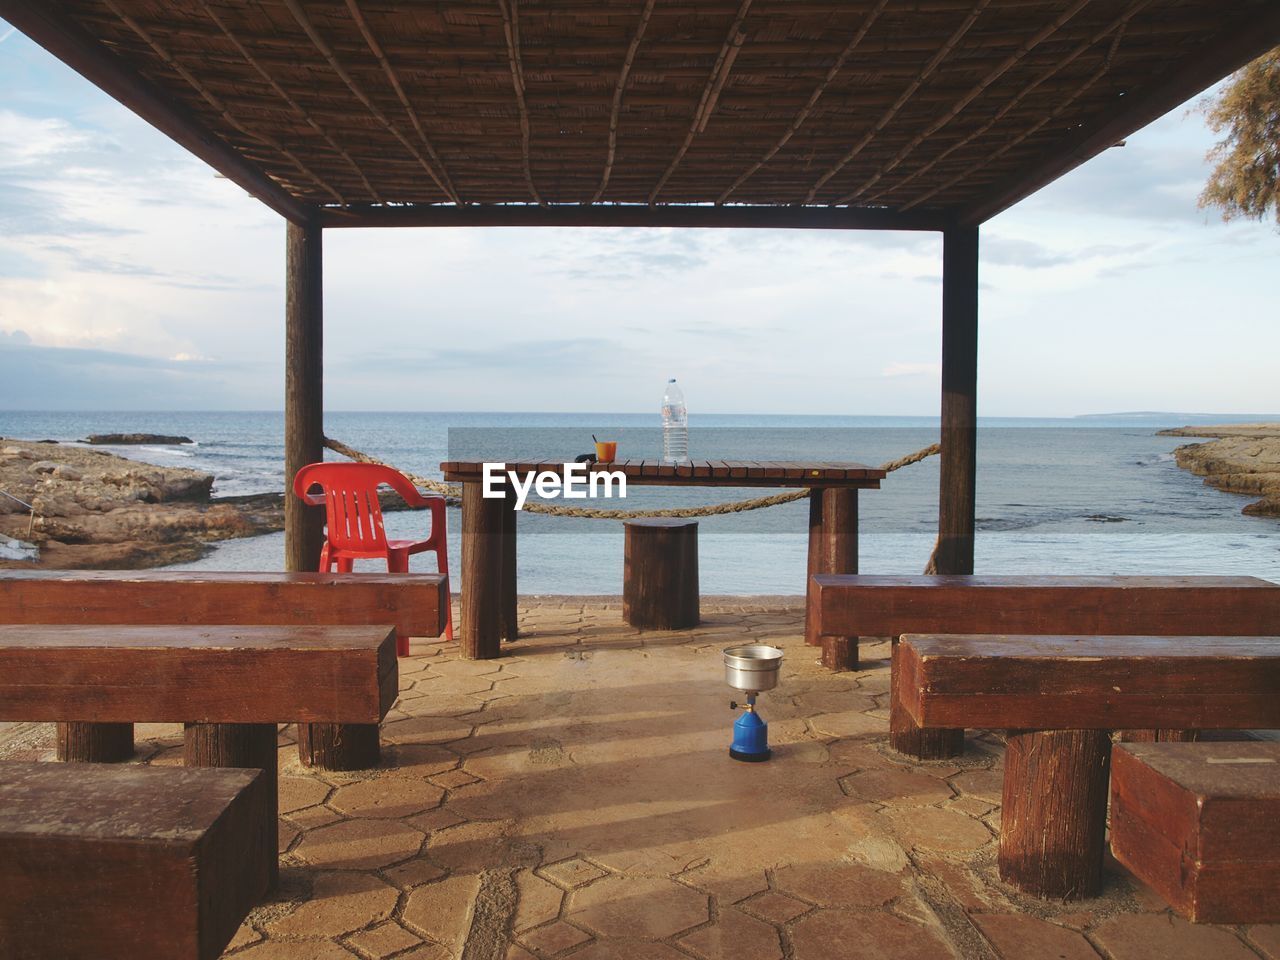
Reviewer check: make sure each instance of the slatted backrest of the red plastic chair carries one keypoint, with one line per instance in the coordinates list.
(353, 511)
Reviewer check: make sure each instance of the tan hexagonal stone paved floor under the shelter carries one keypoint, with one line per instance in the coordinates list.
(575, 799)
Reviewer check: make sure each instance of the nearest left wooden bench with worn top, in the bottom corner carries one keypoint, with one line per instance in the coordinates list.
(117, 863)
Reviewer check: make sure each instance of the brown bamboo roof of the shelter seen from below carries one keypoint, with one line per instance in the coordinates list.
(861, 112)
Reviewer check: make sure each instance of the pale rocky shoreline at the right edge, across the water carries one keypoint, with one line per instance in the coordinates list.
(1236, 459)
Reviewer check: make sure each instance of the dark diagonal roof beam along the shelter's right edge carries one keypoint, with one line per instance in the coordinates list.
(1249, 38)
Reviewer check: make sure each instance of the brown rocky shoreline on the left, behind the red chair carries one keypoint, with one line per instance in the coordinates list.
(95, 510)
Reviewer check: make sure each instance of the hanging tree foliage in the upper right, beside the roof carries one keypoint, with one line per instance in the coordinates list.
(1246, 181)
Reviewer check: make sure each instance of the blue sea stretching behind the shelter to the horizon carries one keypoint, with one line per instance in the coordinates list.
(1055, 496)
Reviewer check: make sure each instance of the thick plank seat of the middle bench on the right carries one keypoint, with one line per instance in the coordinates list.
(1091, 683)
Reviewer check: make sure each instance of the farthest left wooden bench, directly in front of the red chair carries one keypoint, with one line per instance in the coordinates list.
(417, 605)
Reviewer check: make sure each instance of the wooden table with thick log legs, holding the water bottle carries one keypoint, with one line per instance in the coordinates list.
(490, 525)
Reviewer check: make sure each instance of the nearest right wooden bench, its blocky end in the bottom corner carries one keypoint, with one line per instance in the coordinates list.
(1200, 824)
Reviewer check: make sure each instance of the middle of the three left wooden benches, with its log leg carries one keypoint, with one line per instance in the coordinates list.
(231, 687)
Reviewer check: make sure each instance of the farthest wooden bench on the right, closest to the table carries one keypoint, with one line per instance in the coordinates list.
(892, 606)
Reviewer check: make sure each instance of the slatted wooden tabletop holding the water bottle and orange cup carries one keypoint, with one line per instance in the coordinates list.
(698, 473)
